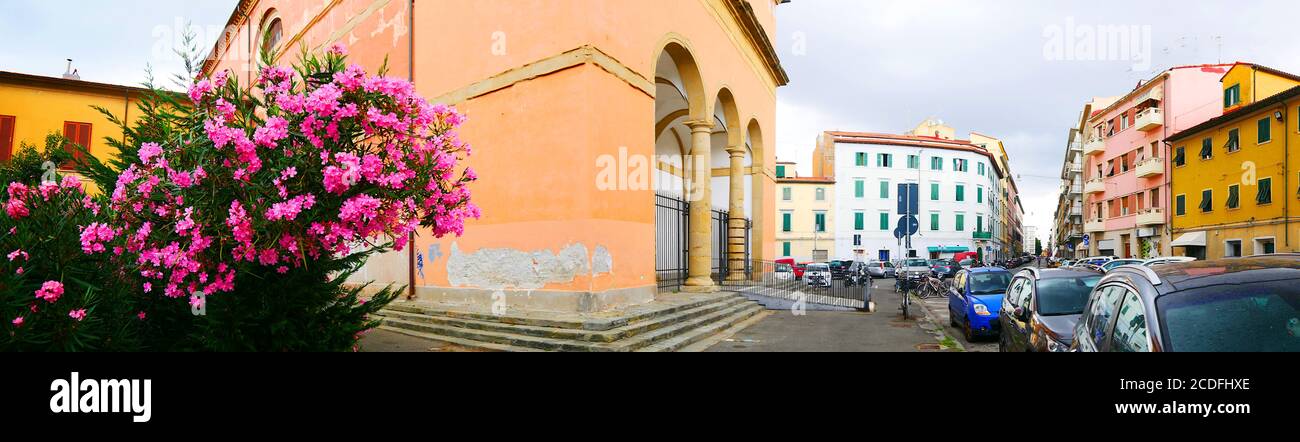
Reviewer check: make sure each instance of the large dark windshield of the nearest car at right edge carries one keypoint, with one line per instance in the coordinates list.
(1253, 318)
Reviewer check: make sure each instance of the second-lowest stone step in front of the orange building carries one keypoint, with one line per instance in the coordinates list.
(567, 333)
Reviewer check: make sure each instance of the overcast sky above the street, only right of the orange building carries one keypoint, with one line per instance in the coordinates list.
(982, 66)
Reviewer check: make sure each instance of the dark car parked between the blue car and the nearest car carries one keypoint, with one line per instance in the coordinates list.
(1042, 309)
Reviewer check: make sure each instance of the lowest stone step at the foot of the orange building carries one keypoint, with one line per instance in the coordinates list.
(547, 344)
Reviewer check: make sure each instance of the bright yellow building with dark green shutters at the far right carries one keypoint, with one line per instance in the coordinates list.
(1232, 176)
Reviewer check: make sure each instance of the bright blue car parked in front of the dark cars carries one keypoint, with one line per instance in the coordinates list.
(976, 300)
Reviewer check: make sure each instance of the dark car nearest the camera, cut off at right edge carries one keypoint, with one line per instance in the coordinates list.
(1233, 305)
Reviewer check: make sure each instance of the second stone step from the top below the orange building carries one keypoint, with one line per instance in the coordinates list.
(562, 322)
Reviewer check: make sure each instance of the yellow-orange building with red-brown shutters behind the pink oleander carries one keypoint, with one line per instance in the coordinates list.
(33, 107)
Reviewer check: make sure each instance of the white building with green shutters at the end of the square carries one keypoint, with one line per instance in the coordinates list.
(957, 185)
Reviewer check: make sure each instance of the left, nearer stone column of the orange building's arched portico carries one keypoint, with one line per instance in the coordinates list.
(700, 255)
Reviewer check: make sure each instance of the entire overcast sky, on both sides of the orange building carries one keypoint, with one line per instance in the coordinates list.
(855, 66)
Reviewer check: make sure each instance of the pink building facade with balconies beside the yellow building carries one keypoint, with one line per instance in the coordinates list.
(1128, 163)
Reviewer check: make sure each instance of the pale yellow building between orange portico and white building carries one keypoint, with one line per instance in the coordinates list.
(805, 214)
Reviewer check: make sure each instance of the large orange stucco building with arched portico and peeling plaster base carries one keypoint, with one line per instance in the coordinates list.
(579, 112)
